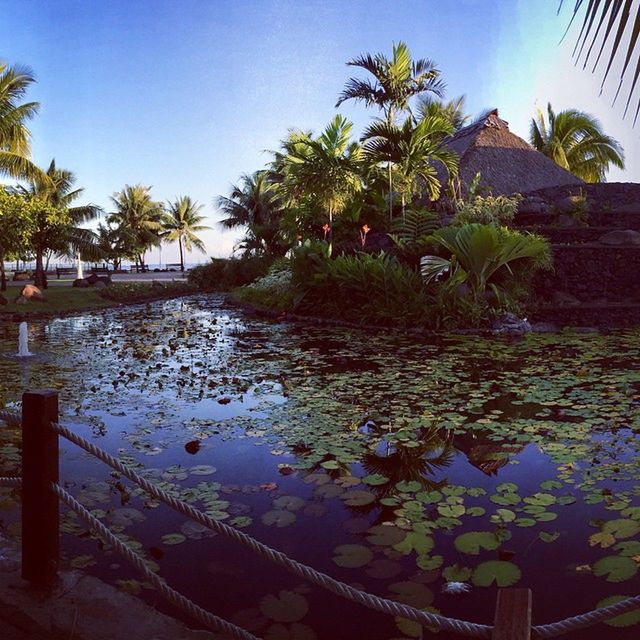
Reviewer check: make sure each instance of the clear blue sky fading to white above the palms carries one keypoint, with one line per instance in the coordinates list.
(187, 95)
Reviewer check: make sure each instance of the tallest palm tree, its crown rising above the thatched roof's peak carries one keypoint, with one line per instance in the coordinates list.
(396, 81)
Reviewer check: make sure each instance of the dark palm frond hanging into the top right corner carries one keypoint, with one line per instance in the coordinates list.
(619, 19)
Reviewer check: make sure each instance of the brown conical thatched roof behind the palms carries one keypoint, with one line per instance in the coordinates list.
(507, 164)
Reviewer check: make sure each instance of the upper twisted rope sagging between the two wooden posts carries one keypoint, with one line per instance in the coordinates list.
(376, 603)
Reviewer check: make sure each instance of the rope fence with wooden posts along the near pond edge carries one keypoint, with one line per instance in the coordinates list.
(383, 605)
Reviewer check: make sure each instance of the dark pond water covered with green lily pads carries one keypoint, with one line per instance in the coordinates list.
(391, 463)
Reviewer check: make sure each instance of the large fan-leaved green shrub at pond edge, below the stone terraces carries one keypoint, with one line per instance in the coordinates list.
(480, 268)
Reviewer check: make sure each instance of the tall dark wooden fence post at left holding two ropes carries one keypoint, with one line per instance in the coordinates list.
(40, 532)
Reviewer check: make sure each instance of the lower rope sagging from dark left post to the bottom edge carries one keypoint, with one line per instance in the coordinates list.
(174, 597)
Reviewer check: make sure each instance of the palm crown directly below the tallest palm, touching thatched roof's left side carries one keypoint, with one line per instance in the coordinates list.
(414, 152)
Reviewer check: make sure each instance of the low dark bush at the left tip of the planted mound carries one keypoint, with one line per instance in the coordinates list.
(226, 274)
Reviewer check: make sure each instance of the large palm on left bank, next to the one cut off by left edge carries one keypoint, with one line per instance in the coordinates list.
(57, 223)
